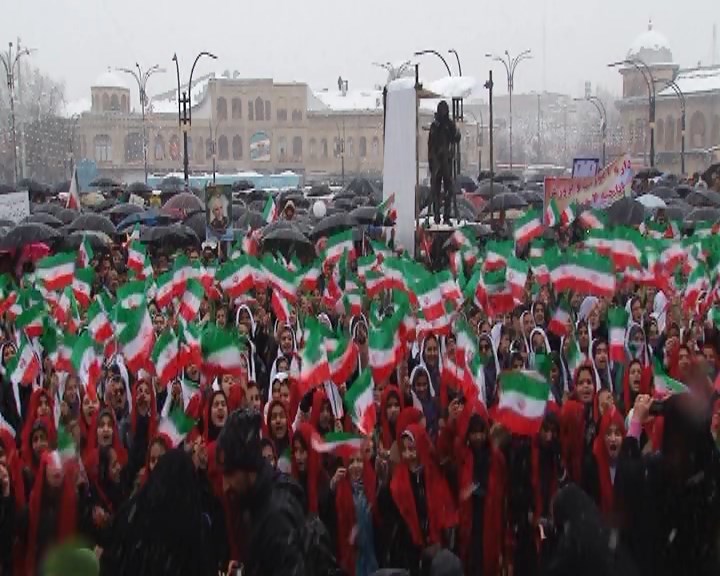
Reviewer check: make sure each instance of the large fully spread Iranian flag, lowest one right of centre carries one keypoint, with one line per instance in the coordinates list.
(522, 400)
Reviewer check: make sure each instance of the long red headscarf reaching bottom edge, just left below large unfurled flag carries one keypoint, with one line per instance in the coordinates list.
(494, 498)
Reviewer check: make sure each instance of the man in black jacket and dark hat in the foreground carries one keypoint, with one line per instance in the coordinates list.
(273, 500)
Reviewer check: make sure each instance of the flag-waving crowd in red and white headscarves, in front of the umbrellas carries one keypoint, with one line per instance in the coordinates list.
(228, 436)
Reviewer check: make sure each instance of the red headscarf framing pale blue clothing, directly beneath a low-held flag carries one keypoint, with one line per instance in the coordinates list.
(345, 508)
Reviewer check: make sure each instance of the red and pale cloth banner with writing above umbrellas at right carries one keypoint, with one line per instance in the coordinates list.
(611, 184)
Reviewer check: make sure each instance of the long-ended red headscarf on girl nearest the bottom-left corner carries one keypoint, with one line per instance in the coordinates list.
(66, 515)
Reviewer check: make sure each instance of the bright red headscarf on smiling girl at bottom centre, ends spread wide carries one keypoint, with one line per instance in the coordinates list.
(442, 513)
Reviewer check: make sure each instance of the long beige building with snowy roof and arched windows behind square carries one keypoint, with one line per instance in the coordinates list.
(240, 125)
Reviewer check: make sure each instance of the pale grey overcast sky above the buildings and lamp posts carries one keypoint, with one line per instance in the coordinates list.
(316, 40)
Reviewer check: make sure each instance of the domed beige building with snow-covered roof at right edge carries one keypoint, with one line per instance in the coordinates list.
(696, 90)
